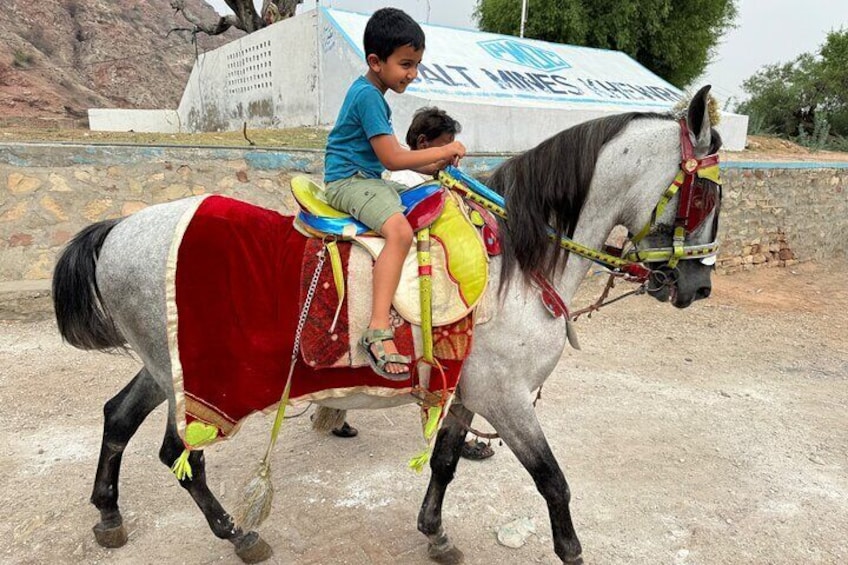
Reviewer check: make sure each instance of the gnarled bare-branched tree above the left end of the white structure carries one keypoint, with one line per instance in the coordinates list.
(244, 16)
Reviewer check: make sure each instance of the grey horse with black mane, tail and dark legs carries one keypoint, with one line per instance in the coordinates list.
(109, 292)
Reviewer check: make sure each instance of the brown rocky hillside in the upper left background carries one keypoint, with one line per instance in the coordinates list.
(60, 57)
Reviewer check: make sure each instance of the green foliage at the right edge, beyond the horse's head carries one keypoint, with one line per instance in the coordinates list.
(806, 98)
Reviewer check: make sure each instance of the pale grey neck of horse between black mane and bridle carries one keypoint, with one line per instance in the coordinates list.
(630, 175)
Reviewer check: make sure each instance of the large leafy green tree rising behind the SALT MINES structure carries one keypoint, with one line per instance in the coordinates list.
(672, 38)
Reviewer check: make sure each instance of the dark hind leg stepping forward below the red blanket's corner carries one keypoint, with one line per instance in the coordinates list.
(249, 546)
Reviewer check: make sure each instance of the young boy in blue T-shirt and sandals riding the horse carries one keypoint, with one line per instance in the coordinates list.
(360, 146)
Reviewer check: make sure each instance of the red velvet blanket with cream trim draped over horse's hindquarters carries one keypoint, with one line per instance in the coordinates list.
(234, 302)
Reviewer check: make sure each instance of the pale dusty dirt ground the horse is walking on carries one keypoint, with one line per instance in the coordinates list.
(715, 434)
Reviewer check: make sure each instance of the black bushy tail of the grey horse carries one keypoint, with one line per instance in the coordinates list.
(80, 314)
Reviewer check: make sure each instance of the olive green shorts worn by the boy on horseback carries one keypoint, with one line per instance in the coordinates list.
(371, 201)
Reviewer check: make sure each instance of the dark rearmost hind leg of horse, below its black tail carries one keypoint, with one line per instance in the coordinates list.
(123, 414)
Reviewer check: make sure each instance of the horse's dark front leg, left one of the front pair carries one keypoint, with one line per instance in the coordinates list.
(443, 465)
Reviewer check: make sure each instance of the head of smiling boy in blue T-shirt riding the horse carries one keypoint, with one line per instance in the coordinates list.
(394, 46)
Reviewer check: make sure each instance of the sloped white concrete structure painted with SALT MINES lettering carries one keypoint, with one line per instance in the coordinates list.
(509, 93)
